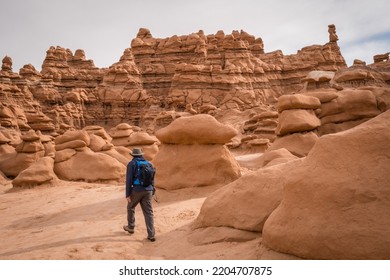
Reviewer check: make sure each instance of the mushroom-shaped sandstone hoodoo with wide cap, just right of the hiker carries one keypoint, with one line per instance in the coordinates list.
(193, 153)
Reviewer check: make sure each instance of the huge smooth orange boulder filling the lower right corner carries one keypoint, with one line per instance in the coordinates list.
(336, 203)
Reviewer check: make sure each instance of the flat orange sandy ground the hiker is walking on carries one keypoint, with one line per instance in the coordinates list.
(76, 220)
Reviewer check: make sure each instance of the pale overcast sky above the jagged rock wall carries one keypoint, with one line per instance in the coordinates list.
(104, 28)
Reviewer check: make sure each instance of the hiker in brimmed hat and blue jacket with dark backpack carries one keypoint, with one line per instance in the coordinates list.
(140, 189)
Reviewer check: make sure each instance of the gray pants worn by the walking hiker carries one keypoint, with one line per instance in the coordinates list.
(145, 199)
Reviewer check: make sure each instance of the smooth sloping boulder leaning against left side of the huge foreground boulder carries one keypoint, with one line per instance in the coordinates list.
(247, 202)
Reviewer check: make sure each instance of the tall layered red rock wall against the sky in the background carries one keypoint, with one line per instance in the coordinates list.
(225, 71)
